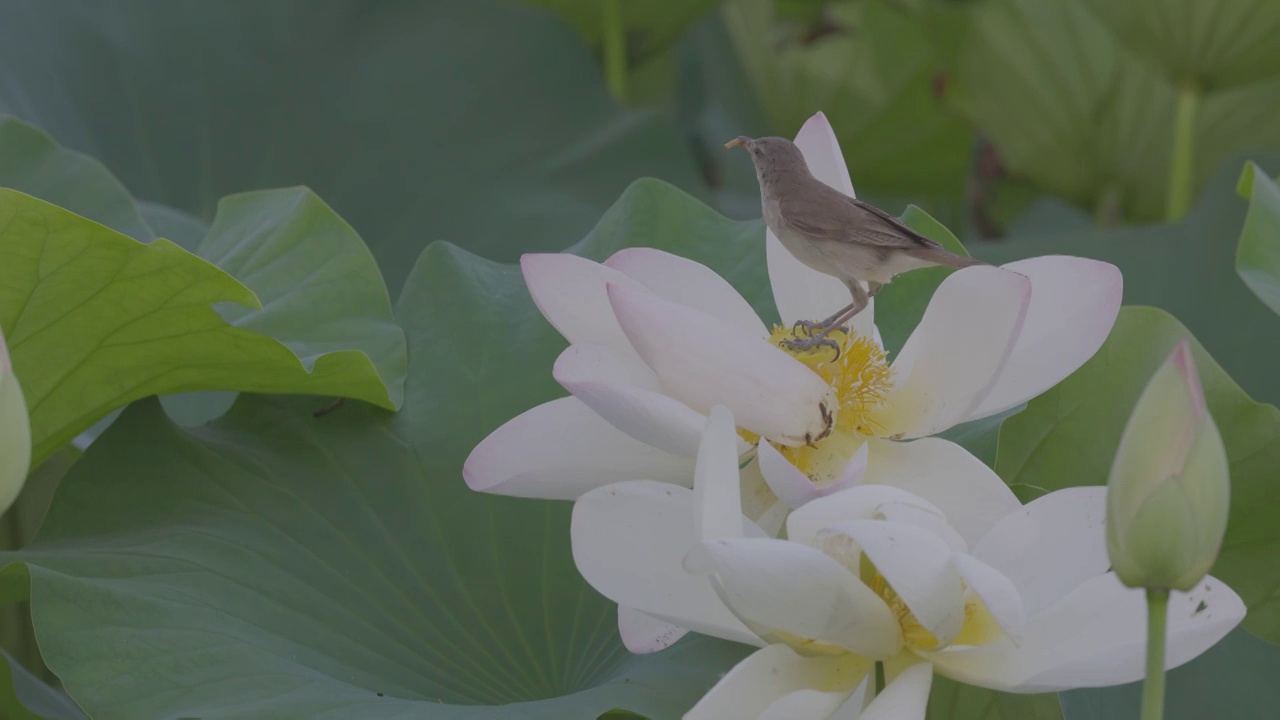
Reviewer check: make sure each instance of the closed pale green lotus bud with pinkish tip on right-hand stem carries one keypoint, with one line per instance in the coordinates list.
(1169, 491)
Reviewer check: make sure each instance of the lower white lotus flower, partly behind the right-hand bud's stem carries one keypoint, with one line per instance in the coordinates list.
(894, 573)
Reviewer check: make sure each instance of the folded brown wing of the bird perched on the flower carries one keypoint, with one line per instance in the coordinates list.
(826, 213)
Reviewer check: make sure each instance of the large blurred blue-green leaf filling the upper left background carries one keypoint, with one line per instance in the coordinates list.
(483, 122)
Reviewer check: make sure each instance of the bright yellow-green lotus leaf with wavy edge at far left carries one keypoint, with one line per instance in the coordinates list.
(95, 321)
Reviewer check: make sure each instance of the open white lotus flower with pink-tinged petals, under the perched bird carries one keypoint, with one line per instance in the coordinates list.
(657, 340)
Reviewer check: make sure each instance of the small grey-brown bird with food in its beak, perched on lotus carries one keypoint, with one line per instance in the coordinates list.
(835, 234)
